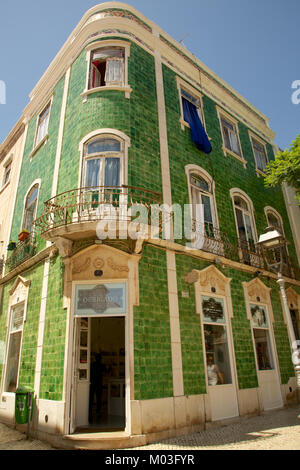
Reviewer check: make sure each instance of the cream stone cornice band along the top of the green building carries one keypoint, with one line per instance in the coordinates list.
(137, 28)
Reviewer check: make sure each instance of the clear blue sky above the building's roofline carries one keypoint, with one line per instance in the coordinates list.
(251, 44)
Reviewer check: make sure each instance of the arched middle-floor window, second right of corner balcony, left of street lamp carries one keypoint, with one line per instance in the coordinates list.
(245, 226)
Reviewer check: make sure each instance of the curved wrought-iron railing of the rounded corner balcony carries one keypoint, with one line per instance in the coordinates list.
(91, 204)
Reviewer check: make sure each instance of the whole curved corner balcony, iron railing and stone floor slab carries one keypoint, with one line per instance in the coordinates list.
(75, 214)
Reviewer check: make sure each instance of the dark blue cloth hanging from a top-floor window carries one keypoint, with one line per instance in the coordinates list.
(198, 134)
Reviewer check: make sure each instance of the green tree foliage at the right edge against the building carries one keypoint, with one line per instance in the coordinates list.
(286, 168)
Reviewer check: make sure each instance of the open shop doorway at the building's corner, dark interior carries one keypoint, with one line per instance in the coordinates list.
(99, 374)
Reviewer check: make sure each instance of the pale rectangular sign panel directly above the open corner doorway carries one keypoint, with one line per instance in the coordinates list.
(92, 300)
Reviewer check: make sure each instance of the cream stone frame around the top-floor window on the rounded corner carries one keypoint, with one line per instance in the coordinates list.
(90, 48)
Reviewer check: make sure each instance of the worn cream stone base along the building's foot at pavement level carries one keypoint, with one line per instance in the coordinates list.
(151, 420)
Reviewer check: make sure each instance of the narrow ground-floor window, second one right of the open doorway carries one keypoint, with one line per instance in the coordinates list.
(261, 334)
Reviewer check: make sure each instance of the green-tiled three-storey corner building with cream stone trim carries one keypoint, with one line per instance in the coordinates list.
(136, 340)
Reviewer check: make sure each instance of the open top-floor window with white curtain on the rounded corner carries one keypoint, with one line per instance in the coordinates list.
(107, 67)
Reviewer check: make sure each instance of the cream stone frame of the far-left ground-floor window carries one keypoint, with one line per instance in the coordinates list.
(19, 294)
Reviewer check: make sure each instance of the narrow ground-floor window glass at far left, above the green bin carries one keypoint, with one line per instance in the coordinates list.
(14, 348)
